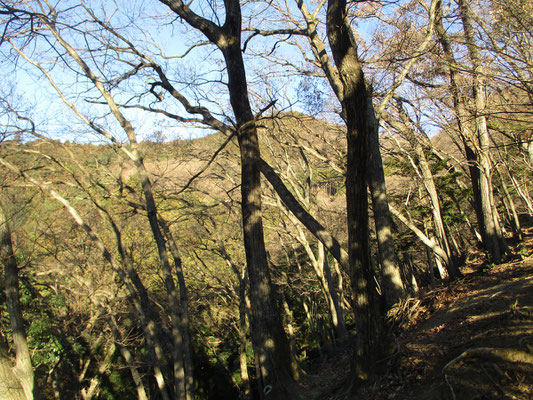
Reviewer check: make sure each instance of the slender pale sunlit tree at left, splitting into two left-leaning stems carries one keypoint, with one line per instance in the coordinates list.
(182, 382)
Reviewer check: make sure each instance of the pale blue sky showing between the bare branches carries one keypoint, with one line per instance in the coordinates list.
(145, 23)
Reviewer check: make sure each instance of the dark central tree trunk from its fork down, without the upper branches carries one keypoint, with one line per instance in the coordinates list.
(268, 336)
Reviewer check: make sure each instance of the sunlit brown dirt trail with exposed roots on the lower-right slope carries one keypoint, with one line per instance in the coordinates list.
(479, 346)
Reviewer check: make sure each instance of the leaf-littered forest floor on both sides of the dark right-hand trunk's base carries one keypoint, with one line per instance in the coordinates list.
(467, 339)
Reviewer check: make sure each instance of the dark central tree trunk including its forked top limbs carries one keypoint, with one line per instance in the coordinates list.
(271, 347)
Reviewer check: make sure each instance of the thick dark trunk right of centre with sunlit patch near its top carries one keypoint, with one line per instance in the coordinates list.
(360, 122)
